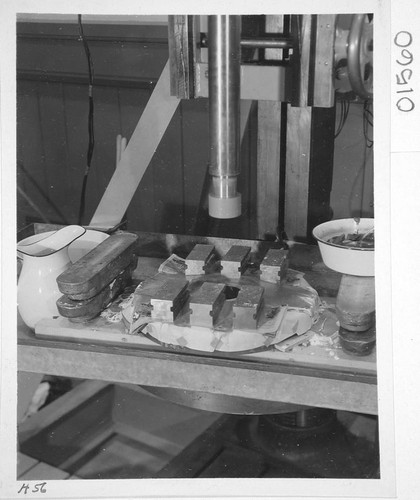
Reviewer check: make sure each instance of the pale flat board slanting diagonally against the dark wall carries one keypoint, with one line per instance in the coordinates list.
(137, 155)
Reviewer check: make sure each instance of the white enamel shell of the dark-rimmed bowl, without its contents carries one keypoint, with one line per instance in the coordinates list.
(347, 260)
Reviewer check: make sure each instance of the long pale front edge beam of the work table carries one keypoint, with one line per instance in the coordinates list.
(262, 382)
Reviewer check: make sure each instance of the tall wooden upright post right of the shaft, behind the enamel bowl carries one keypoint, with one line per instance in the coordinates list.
(310, 130)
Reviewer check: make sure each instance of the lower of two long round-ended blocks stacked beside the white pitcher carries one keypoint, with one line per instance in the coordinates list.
(84, 310)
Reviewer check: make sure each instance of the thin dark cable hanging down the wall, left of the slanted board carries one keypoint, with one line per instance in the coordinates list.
(91, 140)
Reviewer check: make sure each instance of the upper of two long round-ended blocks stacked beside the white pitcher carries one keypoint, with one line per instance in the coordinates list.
(90, 274)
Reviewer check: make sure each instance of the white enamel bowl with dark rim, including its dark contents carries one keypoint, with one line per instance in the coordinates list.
(347, 245)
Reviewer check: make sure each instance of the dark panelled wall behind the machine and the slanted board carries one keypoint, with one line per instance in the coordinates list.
(52, 133)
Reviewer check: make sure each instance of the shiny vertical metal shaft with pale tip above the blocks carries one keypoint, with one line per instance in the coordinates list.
(224, 100)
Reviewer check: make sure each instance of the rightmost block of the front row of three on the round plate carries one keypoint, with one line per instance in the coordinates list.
(247, 307)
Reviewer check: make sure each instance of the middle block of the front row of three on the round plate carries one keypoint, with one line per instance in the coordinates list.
(206, 304)
